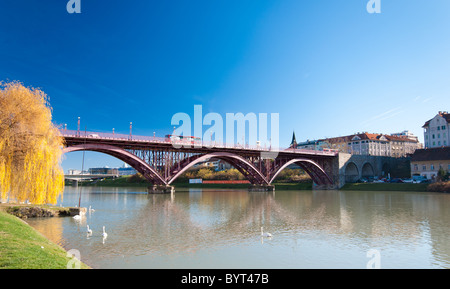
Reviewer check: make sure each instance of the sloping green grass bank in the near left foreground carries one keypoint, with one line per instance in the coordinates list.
(21, 247)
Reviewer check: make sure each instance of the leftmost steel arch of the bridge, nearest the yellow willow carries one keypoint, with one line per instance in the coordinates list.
(137, 163)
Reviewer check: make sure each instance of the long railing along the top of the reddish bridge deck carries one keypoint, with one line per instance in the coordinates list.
(163, 140)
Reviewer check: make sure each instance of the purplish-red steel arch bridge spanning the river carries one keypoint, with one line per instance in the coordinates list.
(163, 160)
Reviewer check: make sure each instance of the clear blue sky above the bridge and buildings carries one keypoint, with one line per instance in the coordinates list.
(328, 68)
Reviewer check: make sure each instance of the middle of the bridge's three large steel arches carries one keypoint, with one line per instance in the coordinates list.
(240, 163)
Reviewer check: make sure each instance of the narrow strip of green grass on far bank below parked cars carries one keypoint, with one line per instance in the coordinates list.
(385, 187)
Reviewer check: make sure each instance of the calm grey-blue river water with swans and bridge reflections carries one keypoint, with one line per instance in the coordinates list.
(221, 229)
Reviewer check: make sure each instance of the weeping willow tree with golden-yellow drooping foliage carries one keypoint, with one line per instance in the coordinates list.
(30, 147)
